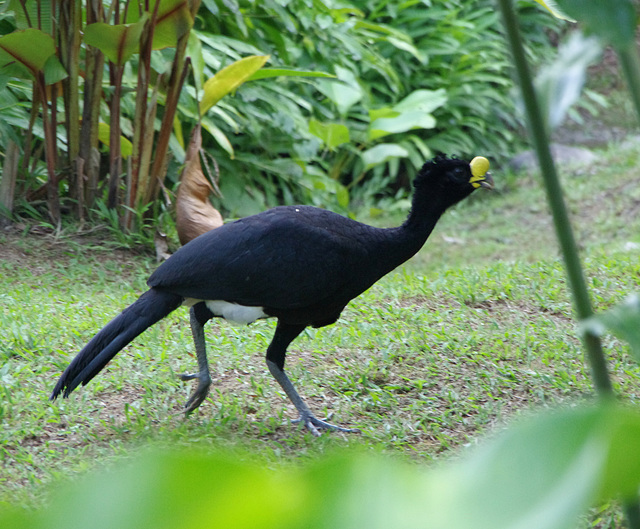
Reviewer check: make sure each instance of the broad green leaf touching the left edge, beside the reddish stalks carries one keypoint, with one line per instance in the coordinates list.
(29, 49)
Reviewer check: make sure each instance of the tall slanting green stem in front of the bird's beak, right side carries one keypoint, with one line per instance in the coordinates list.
(564, 233)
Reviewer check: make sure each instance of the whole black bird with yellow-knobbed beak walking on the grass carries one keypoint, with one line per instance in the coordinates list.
(299, 264)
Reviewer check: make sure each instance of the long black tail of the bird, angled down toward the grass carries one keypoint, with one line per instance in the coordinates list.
(150, 308)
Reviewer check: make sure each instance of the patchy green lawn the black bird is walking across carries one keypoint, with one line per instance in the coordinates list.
(476, 329)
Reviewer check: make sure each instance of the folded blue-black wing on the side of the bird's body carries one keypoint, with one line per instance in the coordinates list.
(273, 260)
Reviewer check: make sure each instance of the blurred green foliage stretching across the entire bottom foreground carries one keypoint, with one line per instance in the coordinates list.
(540, 474)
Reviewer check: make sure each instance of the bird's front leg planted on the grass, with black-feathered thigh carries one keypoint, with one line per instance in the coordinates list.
(284, 335)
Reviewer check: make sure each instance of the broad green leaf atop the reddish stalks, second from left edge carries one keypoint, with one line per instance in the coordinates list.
(118, 42)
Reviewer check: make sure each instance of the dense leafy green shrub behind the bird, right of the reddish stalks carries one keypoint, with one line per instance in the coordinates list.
(381, 53)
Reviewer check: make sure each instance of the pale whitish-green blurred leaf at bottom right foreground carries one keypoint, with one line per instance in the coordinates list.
(540, 475)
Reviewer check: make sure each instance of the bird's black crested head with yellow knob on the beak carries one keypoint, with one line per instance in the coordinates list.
(453, 179)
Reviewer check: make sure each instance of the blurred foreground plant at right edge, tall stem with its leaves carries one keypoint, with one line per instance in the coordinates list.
(615, 24)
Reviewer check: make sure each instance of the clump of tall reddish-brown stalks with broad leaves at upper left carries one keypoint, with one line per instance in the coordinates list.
(46, 48)
